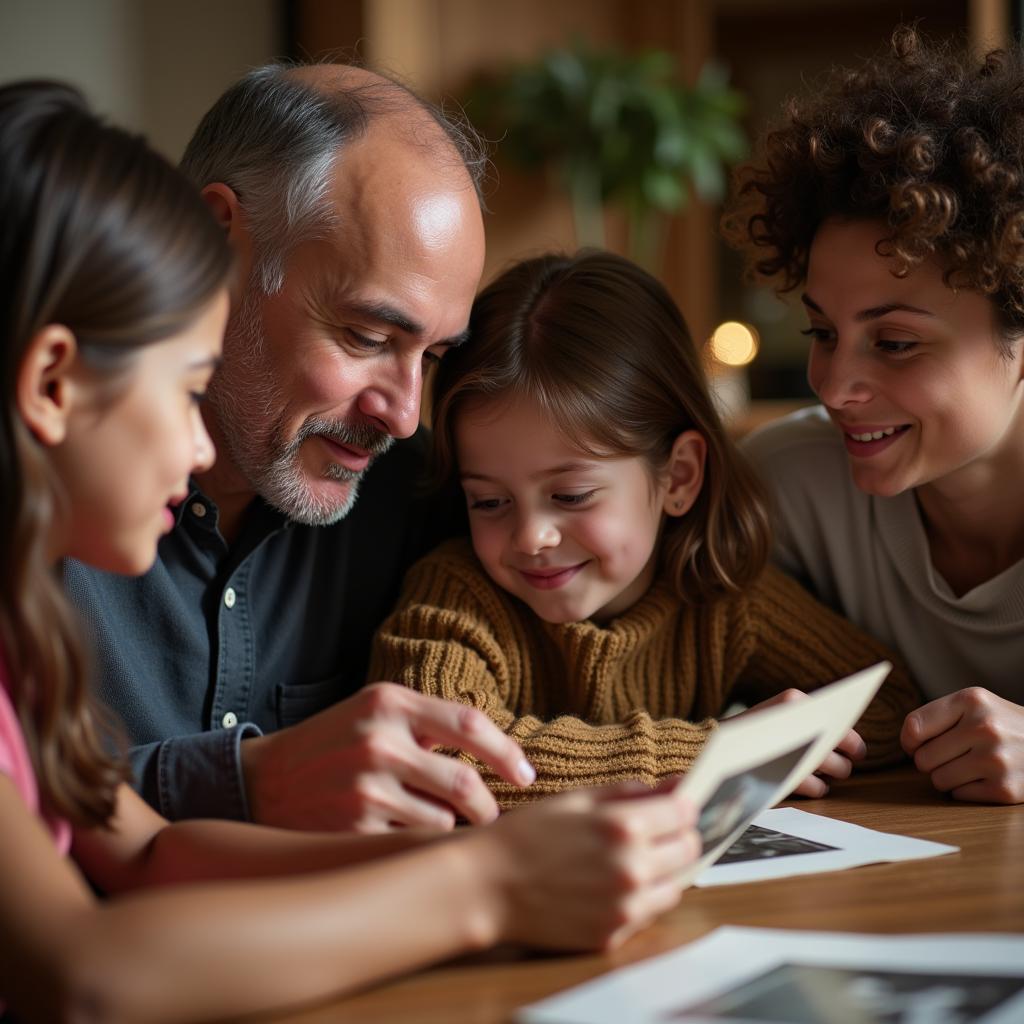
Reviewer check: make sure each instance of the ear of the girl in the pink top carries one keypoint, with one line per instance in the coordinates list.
(46, 386)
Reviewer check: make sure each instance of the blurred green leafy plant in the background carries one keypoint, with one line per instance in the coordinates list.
(618, 131)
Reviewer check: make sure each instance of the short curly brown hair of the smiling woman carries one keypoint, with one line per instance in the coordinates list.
(923, 138)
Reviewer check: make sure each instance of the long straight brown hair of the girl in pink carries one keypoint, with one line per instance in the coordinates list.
(102, 236)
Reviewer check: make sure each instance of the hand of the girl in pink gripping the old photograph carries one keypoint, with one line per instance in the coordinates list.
(588, 869)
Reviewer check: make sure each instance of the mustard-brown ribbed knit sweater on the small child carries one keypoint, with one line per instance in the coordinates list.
(634, 700)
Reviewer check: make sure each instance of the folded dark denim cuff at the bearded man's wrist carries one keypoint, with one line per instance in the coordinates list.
(197, 777)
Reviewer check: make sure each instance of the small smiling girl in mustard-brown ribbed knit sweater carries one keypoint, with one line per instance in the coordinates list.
(615, 600)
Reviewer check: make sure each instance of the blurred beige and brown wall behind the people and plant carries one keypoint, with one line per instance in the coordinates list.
(157, 67)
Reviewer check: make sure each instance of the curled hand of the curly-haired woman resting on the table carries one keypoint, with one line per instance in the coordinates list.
(972, 745)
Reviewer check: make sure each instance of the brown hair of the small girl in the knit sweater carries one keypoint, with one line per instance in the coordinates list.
(603, 348)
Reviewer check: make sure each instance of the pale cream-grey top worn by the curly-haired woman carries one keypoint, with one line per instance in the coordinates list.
(869, 558)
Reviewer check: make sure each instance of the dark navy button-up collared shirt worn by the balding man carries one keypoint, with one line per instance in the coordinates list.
(218, 644)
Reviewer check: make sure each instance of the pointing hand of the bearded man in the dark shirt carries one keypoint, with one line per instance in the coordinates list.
(367, 764)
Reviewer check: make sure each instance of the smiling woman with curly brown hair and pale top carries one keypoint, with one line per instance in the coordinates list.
(893, 198)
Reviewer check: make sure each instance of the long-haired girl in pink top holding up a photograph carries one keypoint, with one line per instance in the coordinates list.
(113, 304)
